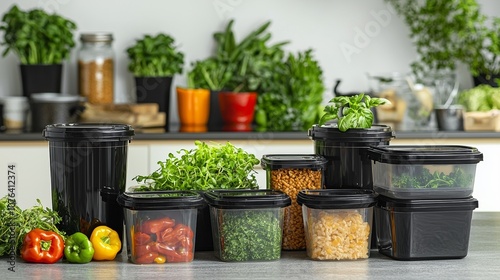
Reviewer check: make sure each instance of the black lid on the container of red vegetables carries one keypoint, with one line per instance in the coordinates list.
(160, 200)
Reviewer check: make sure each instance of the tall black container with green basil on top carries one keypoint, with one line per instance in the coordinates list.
(343, 136)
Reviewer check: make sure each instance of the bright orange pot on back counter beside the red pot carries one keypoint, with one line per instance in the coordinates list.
(193, 106)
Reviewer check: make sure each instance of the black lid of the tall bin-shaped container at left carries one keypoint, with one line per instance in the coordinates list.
(93, 132)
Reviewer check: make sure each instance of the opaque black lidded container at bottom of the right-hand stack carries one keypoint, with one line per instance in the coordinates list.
(424, 229)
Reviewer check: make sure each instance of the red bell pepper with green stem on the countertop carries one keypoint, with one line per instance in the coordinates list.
(41, 246)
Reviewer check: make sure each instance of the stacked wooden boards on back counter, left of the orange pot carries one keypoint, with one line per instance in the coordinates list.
(136, 115)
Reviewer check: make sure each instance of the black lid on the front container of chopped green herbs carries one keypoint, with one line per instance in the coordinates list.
(246, 199)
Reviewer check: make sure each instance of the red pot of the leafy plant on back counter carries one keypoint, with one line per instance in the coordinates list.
(237, 107)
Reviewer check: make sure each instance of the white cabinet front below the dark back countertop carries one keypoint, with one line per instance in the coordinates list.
(33, 170)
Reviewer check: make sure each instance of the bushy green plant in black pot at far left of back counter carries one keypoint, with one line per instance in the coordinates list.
(42, 42)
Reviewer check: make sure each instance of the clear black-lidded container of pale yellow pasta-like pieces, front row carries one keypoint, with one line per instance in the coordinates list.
(337, 223)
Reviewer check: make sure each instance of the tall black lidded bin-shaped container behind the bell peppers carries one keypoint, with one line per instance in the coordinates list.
(88, 165)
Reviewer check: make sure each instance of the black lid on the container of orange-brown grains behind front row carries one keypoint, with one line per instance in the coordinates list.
(302, 161)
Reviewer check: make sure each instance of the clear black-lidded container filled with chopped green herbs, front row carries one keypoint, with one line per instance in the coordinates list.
(247, 225)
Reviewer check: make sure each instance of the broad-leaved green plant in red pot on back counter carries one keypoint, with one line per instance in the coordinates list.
(236, 72)
